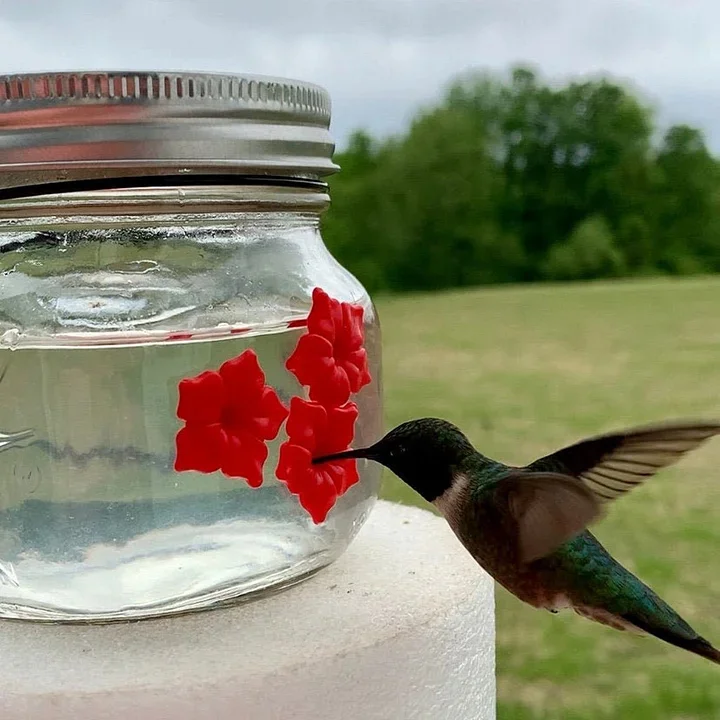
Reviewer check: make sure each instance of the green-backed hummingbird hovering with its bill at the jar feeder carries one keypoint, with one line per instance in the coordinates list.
(526, 526)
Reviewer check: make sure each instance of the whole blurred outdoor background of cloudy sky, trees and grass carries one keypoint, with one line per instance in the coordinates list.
(531, 191)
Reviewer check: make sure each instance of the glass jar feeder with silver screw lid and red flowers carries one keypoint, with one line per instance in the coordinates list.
(161, 263)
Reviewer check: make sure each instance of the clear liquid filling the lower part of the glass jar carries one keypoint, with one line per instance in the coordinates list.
(95, 524)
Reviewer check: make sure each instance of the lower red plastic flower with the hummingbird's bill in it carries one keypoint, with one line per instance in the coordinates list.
(315, 430)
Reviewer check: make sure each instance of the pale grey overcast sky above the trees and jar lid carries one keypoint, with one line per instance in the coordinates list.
(380, 59)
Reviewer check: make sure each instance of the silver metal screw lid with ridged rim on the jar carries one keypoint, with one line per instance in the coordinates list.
(84, 125)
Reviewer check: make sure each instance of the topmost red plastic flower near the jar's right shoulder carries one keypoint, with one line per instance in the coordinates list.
(330, 357)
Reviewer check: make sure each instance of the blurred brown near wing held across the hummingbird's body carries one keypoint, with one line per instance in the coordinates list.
(548, 509)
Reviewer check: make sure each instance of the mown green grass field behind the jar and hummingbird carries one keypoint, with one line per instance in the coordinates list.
(525, 371)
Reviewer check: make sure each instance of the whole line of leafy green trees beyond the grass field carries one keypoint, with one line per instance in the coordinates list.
(511, 179)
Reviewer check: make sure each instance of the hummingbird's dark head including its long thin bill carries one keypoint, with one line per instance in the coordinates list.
(423, 453)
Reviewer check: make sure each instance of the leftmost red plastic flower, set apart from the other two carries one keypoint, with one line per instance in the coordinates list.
(229, 416)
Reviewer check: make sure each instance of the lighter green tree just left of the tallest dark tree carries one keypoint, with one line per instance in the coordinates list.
(447, 191)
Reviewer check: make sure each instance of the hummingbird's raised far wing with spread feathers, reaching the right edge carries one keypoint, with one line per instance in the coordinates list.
(612, 465)
